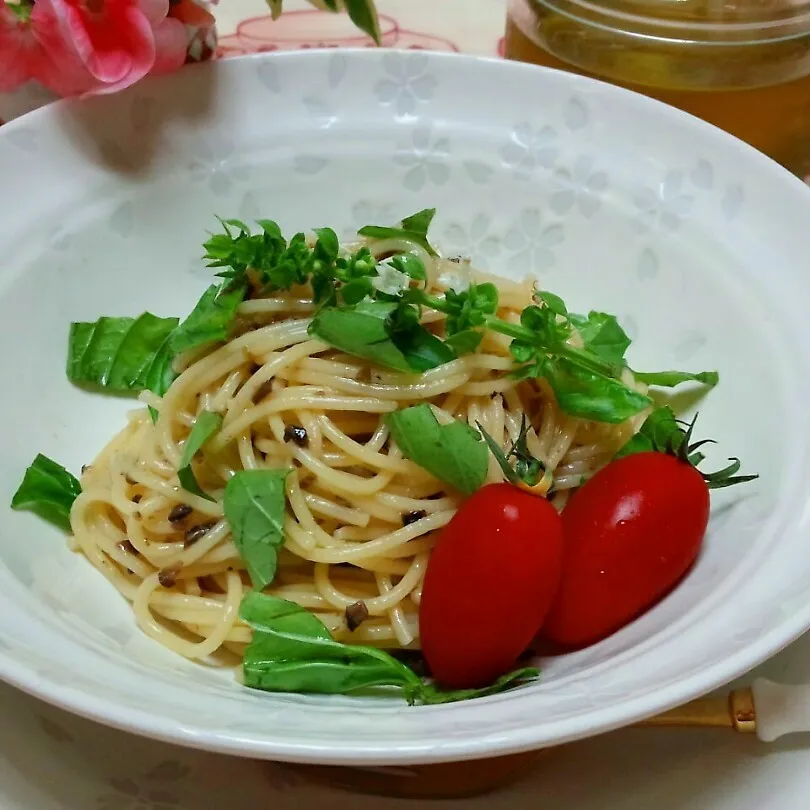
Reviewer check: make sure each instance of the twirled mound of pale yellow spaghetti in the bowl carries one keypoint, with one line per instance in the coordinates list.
(349, 491)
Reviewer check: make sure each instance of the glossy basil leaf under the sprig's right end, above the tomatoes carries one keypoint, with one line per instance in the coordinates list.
(587, 395)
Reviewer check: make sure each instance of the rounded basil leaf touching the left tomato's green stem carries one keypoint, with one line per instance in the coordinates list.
(452, 453)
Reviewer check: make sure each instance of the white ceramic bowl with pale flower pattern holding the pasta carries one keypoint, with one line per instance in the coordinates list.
(696, 241)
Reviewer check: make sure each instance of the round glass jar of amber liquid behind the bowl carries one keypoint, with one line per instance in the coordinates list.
(743, 65)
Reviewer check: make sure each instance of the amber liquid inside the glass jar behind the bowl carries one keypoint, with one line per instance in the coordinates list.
(737, 88)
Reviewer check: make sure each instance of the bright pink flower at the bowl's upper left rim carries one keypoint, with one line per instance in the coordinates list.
(88, 46)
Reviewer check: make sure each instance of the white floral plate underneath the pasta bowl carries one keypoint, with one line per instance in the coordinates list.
(93, 768)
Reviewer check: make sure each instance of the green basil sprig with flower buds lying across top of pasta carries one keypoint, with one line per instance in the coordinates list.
(582, 357)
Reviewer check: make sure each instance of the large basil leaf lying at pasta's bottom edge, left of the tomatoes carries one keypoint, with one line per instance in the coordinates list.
(292, 651)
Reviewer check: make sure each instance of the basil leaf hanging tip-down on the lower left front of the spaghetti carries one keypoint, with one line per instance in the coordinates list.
(254, 507)
